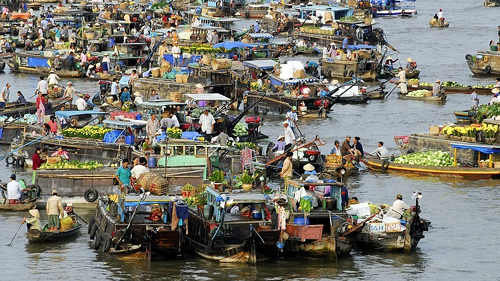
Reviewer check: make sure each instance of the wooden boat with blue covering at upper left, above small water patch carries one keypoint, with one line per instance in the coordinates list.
(39, 65)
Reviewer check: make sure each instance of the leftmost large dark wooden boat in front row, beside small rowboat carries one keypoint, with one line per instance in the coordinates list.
(129, 221)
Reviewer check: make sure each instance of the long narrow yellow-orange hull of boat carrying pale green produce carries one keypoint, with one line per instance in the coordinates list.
(464, 172)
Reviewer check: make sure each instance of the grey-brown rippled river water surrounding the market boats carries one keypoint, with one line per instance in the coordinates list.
(463, 243)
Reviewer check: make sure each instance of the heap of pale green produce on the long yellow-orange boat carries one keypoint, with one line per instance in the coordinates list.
(426, 158)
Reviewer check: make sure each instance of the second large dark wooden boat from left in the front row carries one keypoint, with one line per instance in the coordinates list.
(234, 237)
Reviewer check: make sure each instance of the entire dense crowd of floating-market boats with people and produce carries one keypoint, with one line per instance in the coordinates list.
(171, 150)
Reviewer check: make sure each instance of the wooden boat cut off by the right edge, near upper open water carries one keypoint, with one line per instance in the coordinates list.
(485, 62)
